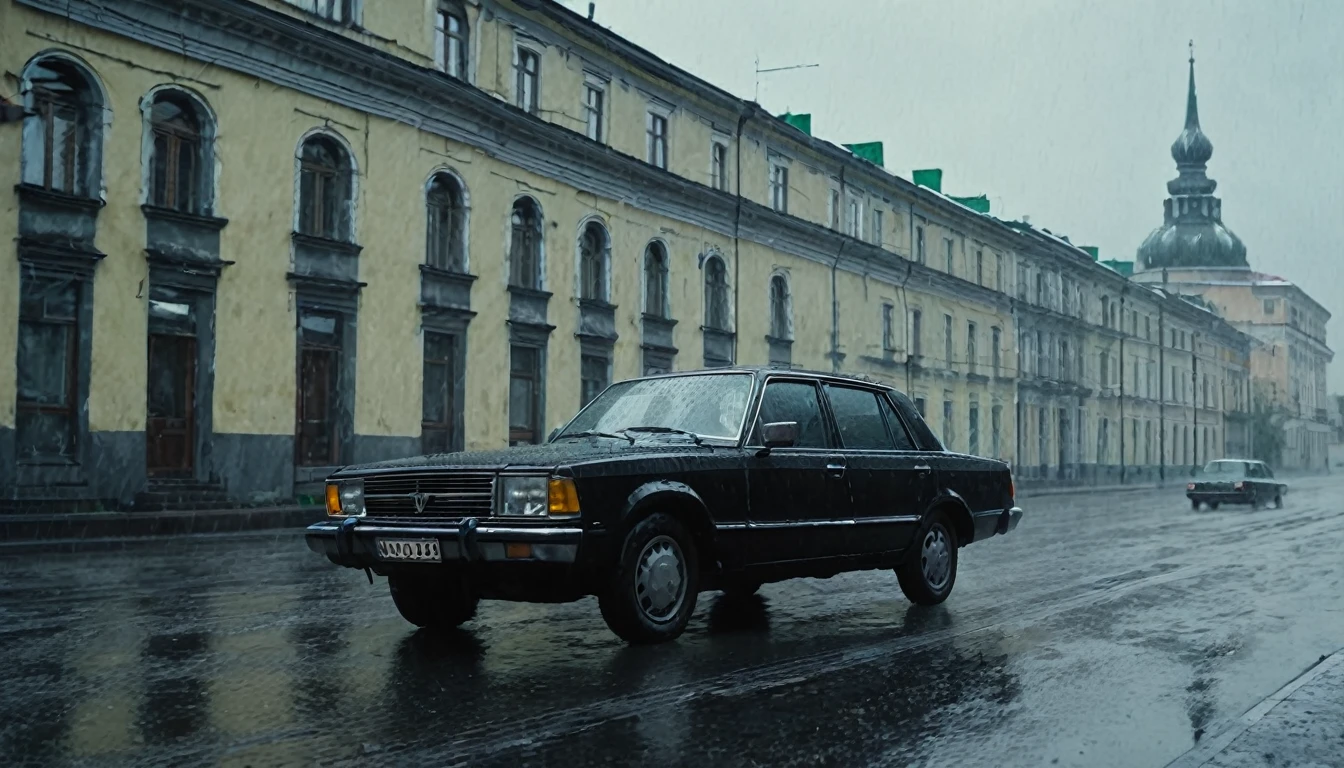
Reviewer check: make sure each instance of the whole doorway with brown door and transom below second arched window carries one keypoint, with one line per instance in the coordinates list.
(171, 424)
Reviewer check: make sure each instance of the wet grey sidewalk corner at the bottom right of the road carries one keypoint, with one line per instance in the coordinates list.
(1300, 726)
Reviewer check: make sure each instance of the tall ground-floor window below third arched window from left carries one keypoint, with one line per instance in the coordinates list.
(319, 389)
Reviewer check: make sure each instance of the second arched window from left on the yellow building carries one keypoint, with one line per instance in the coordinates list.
(181, 165)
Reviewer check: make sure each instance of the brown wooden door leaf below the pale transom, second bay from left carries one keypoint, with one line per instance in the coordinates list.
(170, 434)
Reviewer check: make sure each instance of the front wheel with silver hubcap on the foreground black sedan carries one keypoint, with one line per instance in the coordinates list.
(653, 592)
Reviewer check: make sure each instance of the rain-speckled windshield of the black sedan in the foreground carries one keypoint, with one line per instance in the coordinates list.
(709, 406)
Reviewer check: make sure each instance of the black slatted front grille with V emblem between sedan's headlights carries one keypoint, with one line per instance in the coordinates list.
(429, 496)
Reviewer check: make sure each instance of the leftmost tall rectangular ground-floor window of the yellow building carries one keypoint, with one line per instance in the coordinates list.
(48, 369)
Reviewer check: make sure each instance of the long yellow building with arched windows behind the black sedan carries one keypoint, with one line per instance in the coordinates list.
(256, 241)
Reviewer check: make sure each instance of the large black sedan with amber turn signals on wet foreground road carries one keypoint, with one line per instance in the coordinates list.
(667, 486)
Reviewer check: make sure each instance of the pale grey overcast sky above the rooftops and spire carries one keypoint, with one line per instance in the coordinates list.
(1064, 111)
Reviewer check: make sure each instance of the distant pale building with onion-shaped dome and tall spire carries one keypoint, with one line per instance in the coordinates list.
(1195, 255)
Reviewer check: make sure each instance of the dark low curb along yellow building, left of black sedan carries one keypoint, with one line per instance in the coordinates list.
(17, 531)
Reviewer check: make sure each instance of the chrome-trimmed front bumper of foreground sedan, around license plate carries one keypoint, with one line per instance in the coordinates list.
(351, 541)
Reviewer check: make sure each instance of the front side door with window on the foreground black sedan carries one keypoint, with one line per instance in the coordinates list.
(794, 492)
